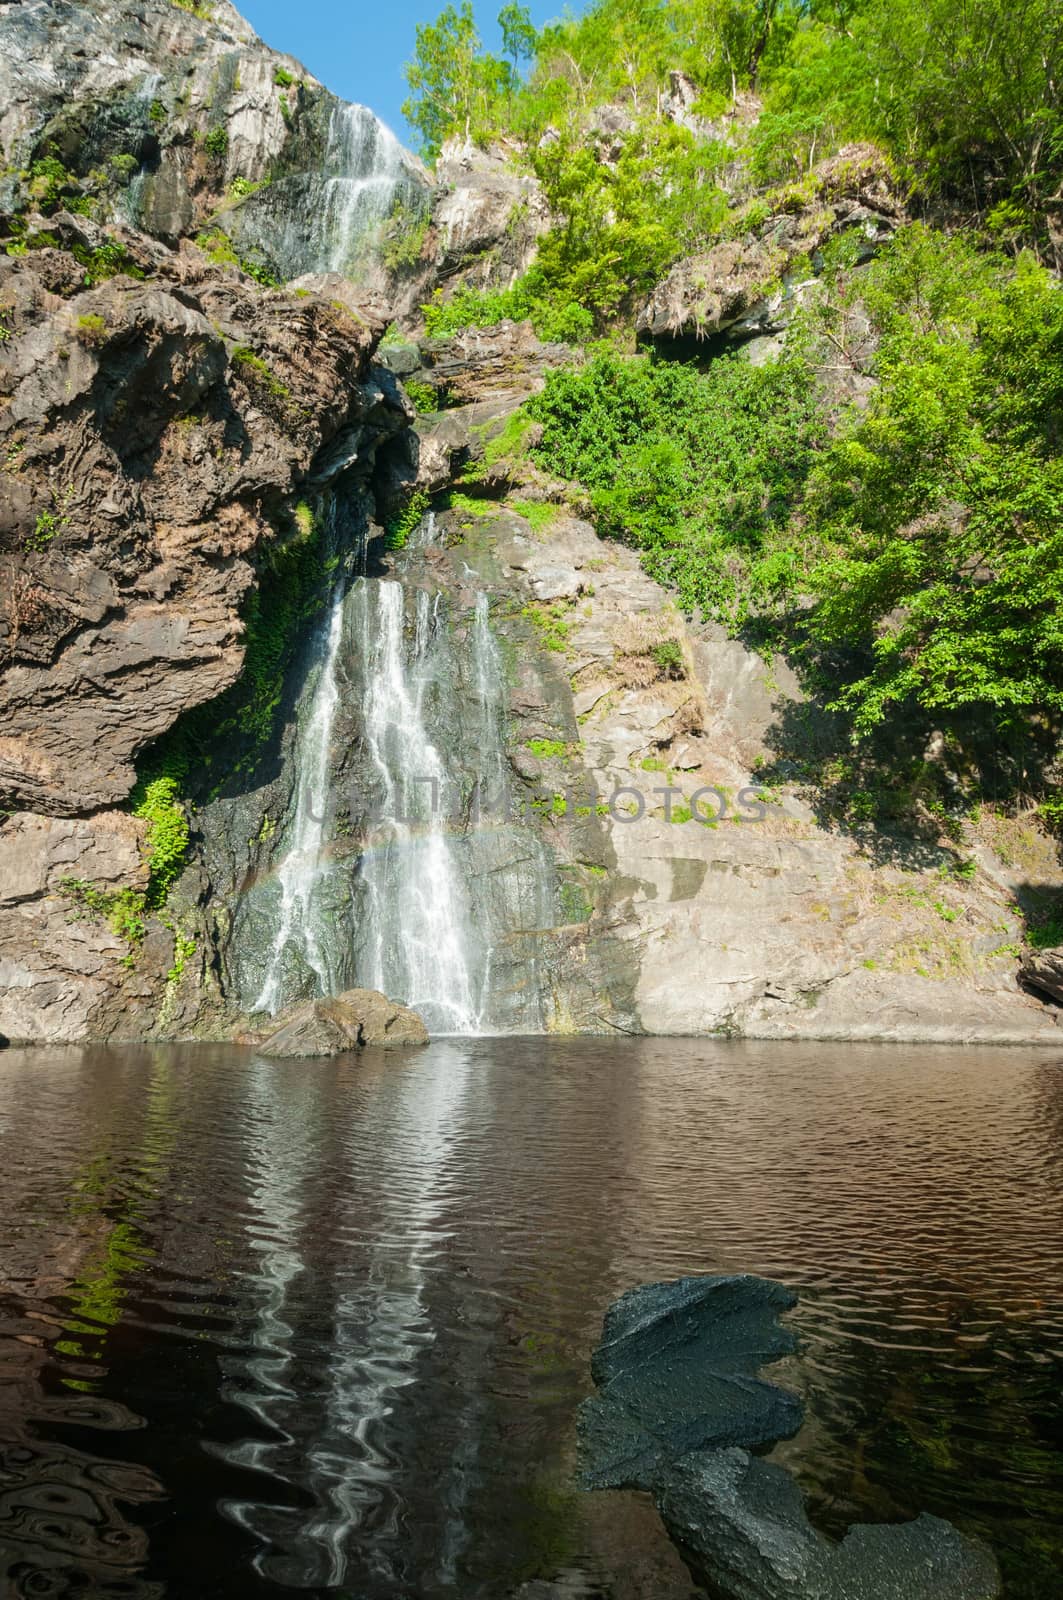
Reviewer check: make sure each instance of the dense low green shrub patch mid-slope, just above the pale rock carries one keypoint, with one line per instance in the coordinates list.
(700, 471)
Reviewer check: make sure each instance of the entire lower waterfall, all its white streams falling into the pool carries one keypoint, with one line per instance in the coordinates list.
(406, 921)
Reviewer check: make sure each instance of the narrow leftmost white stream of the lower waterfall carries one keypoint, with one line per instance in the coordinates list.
(302, 865)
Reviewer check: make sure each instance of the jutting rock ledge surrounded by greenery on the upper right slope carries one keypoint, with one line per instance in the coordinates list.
(750, 286)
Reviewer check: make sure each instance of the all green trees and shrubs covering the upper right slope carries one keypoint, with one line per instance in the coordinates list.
(886, 500)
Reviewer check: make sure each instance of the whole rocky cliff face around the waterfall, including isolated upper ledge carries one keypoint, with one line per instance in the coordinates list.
(182, 441)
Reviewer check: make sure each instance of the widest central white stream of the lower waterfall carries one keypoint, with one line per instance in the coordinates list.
(422, 945)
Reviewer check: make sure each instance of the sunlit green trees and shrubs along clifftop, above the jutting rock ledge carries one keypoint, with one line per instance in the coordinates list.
(965, 98)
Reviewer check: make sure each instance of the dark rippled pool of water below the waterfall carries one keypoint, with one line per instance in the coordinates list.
(324, 1327)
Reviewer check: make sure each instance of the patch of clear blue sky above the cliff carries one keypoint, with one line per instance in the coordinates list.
(359, 47)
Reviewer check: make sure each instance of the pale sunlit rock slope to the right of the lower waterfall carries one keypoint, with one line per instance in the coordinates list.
(758, 921)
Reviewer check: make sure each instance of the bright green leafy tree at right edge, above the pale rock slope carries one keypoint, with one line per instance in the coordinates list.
(942, 506)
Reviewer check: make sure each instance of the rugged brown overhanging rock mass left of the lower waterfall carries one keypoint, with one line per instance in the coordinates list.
(156, 439)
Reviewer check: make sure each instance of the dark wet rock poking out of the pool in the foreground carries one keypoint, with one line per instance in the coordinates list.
(680, 1410)
